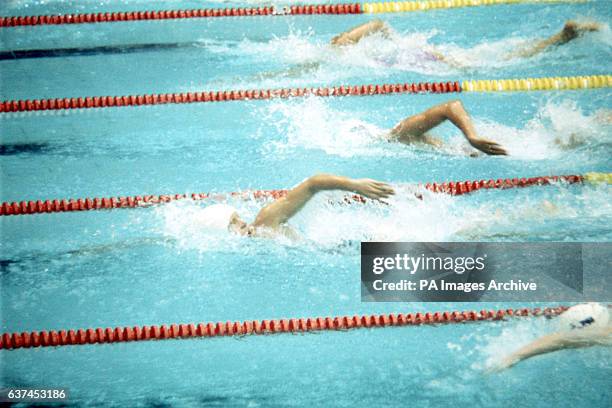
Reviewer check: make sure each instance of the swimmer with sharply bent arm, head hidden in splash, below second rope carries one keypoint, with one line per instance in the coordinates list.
(414, 128)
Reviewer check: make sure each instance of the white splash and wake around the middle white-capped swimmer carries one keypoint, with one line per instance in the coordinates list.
(550, 212)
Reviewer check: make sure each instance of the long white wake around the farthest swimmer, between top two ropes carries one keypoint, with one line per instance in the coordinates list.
(312, 58)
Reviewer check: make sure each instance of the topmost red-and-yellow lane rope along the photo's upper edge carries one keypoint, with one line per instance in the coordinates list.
(329, 9)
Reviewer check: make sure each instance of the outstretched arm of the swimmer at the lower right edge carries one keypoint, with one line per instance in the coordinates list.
(555, 342)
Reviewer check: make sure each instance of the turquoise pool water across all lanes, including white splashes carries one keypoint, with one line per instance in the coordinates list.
(153, 266)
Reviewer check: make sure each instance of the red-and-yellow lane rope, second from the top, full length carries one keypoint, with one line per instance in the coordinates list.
(493, 85)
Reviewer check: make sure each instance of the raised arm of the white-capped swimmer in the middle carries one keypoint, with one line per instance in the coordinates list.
(281, 210)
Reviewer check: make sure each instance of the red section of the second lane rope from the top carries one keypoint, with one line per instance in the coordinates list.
(91, 102)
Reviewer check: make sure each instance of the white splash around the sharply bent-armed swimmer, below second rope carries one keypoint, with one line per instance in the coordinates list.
(557, 129)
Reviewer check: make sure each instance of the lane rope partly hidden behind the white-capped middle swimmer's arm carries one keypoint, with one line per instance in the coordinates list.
(107, 203)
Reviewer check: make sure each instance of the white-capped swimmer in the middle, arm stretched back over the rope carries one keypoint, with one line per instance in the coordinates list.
(272, 219)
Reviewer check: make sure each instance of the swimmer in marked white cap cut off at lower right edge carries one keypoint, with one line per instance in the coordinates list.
(584, 325)
